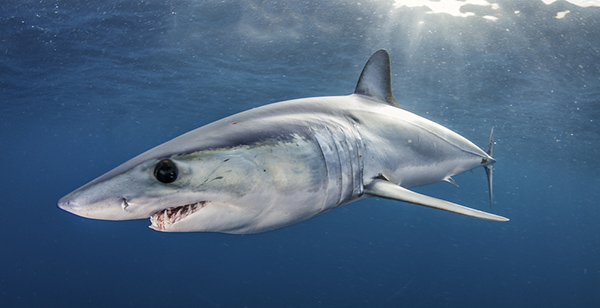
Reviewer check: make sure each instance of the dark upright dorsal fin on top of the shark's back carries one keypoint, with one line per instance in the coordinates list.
(376, 80)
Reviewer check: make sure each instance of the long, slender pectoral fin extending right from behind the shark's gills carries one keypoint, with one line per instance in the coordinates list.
(384, 189)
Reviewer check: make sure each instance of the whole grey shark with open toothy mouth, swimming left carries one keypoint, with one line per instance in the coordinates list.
(284, 163)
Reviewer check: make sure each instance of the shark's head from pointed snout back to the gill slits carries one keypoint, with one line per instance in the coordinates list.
(222, 177)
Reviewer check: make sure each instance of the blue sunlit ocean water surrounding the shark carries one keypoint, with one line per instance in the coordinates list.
(86, 85)
